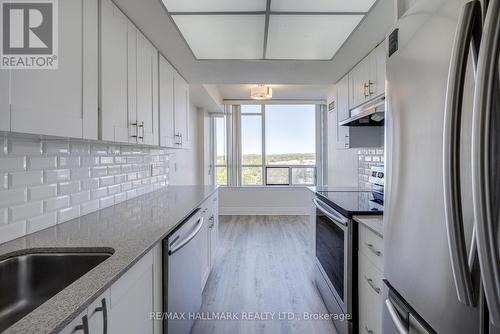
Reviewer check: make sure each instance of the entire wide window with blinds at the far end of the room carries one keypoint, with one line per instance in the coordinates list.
(266, 144)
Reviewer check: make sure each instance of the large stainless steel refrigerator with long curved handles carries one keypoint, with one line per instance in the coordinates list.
(441, 236)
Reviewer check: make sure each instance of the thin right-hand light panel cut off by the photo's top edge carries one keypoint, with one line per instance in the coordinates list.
(322, 5)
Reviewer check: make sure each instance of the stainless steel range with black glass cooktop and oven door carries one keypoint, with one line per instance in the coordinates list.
(335, 260)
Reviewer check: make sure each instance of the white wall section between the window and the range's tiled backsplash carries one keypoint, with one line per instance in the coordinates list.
(342, 163)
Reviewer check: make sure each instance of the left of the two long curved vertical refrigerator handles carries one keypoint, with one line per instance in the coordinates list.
(467, 31)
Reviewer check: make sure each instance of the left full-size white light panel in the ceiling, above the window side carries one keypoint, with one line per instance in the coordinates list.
(223, 36)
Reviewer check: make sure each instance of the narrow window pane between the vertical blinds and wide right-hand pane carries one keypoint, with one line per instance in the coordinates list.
(251, 145)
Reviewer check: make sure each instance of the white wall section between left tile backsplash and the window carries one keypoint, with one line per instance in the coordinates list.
(185, 164)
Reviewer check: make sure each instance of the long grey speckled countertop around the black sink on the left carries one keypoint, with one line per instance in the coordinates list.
(130, 229)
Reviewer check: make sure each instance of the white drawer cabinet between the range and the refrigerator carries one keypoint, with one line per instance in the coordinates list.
(369, 283)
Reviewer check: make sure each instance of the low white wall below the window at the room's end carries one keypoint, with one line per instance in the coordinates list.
(265, 201)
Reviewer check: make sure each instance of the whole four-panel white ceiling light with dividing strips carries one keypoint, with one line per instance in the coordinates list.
(266, 29)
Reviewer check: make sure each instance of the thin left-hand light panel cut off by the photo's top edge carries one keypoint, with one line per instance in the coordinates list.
(214, 5)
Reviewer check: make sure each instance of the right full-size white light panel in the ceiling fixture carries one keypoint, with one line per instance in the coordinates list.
(311, 37)
